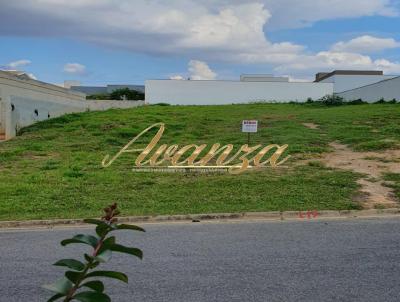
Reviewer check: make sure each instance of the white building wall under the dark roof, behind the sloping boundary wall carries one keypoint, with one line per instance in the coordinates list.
(347, 82)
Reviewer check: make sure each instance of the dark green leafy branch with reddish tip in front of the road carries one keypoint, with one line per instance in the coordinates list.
(78, 283)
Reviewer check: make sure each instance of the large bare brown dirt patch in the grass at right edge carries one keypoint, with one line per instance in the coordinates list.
(373, 165)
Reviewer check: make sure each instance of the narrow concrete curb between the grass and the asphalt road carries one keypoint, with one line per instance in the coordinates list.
(286, 215)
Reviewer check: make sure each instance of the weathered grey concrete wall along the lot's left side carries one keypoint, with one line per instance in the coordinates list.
(21, 98)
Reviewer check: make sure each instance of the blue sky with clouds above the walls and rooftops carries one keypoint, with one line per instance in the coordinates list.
(100, 42)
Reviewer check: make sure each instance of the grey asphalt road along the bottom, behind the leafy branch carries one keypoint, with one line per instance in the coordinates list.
(340, 260)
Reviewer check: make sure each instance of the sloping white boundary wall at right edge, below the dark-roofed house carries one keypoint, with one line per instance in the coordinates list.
(388, 89)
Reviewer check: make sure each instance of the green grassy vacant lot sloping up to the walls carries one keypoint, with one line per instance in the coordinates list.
(53, 168)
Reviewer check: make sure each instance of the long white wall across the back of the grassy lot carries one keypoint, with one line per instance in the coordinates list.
(180, 92)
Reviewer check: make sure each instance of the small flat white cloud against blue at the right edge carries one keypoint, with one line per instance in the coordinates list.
(366, 44)
